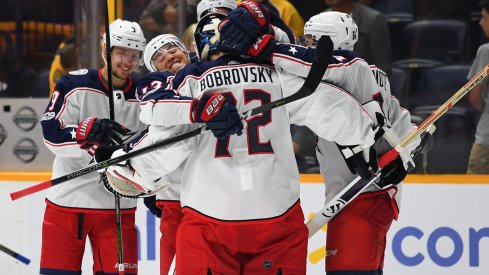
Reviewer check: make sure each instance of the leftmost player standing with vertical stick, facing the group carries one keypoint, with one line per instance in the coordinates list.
(74, 125)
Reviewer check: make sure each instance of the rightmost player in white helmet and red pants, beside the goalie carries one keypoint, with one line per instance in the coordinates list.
(371, 213)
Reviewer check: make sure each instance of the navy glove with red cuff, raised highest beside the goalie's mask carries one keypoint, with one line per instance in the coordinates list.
(242, 27)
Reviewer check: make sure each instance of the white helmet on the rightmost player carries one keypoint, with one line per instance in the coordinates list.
(337, 25)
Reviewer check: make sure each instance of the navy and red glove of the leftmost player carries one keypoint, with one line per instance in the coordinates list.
(95, 132)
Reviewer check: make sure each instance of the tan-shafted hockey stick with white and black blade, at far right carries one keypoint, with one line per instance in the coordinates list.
(355, 187)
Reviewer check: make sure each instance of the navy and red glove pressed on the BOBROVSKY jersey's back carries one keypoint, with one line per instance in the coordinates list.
(220, 115)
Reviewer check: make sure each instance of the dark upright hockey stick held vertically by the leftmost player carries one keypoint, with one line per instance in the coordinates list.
(117, 200)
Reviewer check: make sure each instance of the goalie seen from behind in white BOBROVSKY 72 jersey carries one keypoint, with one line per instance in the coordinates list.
(246, 217)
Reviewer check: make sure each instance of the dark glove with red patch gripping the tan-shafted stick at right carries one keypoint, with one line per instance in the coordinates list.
(393, 169)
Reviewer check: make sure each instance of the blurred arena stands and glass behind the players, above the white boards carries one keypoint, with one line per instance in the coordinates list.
(431, 46)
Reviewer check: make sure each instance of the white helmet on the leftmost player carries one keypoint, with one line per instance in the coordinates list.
(126, 34)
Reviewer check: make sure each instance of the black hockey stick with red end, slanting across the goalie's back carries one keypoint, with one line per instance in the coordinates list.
(322, 57)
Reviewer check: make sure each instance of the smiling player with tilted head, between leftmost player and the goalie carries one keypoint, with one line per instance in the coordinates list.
(164, 56)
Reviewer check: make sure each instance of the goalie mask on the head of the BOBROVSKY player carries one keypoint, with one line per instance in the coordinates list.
(206, 35)
